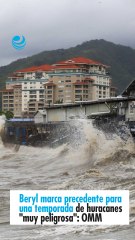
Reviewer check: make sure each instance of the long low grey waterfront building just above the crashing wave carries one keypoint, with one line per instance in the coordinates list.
(118, 108)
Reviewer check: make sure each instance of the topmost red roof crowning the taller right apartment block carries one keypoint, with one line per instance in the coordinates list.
(80, 60)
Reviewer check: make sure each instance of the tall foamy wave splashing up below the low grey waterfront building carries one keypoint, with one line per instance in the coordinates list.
(94, 145)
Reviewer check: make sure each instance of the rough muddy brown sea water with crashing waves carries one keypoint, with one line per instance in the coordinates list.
(91, 161)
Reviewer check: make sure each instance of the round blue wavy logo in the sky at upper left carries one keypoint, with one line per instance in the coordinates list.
(18, 42)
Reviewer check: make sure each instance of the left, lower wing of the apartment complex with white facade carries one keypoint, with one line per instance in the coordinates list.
(31, 81)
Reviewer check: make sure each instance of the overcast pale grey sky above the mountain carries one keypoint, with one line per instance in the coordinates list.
(53, 24)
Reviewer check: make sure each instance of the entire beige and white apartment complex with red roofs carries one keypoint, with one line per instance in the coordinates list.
(70, 81)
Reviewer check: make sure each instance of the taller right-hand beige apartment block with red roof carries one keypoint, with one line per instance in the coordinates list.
(77, 79)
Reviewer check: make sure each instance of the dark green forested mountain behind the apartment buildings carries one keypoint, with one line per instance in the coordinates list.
(120, 58)
